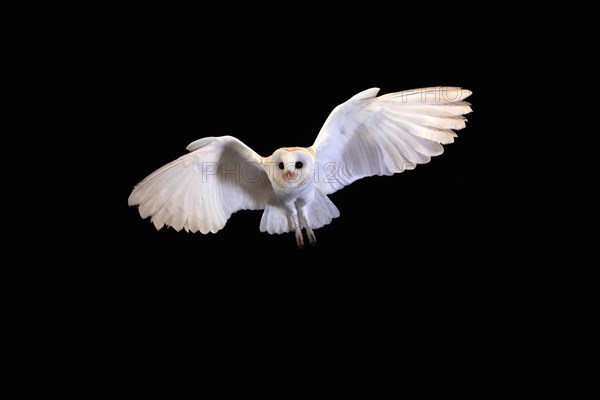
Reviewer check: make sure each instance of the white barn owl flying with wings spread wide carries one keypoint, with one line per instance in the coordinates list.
(365, 136)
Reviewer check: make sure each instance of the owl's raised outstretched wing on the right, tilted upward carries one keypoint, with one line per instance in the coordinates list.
(370, 135)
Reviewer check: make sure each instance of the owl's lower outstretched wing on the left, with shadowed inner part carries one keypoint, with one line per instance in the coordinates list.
(200, 190)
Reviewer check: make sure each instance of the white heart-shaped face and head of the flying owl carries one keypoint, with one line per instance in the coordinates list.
(290, 167)
